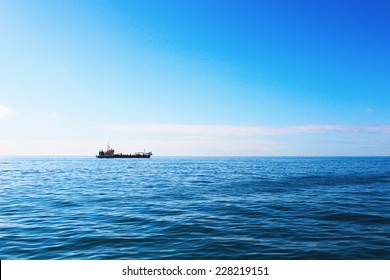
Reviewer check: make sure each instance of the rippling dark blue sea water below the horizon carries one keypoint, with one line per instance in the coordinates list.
(195, 208)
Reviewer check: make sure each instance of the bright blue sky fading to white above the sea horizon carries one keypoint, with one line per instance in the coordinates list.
(195, 78)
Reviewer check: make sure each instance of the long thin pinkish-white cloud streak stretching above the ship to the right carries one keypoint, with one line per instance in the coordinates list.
(242, 131)
